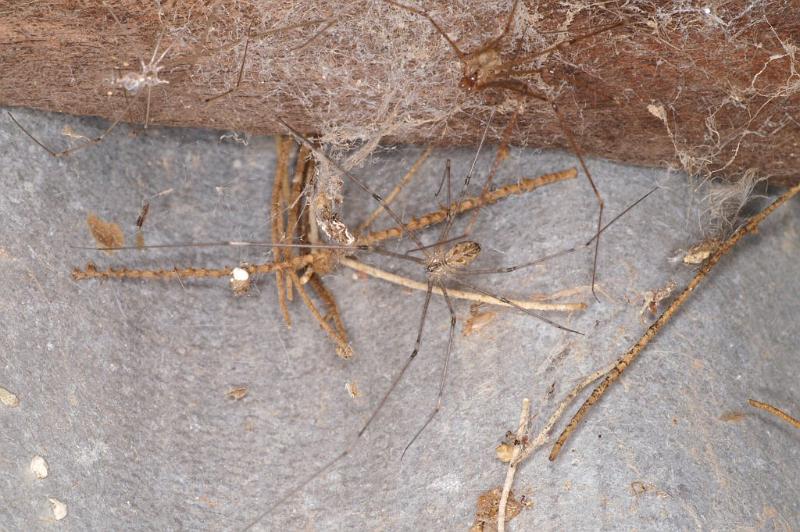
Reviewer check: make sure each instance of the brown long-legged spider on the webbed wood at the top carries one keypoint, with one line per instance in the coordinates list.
(484, 68)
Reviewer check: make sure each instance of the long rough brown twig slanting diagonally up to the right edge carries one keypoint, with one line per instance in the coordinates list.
(629, 357)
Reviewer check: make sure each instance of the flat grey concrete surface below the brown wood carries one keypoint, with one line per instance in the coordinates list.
(122, 385)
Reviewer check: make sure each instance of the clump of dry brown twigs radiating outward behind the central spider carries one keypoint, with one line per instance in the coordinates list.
(318, 260)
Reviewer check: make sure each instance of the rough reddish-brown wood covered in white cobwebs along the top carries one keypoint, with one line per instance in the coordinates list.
(710, 88)
